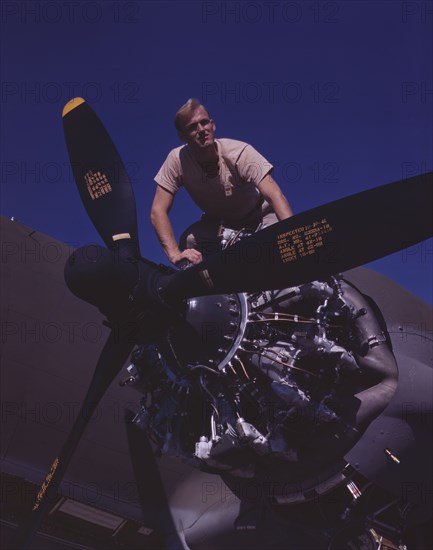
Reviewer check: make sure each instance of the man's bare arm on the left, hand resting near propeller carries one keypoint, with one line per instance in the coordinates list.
(161, 206)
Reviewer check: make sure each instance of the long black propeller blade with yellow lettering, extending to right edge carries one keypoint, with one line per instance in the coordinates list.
(318, 243)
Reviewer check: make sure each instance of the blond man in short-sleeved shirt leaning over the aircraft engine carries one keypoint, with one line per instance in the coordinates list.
(228, 179)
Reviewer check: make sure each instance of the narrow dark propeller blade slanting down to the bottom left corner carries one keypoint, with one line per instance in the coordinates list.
(113, 356)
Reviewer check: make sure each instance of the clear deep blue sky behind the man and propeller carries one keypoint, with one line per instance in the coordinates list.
(337, 95)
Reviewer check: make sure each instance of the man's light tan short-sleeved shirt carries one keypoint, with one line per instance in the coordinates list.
(233, 193)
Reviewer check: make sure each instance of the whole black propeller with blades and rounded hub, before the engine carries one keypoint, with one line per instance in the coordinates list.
(140, 298)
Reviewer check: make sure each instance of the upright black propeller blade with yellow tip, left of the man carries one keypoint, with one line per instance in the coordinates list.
(100, 174)
